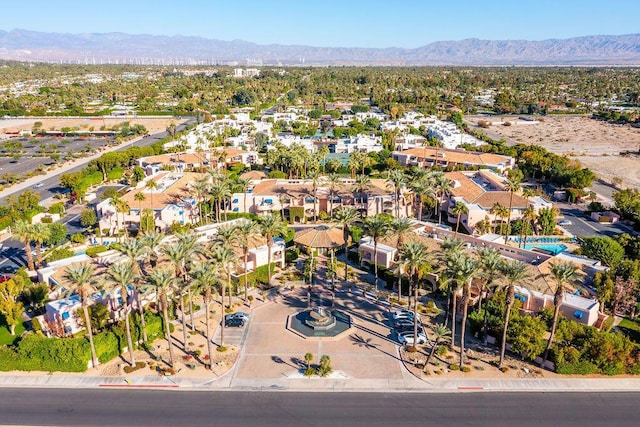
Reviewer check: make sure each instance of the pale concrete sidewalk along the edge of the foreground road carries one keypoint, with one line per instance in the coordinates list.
(435, 385)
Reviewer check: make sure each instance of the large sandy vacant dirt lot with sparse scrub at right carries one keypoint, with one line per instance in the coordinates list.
(595, 143)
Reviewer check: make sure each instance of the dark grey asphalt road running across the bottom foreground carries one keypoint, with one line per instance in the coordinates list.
(154, 408)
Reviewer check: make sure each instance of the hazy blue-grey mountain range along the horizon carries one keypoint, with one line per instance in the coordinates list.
(27, 45)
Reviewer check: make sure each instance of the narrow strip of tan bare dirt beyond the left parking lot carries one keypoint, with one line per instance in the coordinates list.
(152, 124)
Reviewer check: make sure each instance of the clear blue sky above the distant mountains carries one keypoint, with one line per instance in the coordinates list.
(350, 23)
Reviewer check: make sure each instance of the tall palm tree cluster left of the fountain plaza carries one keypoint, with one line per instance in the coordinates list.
(175, 270)
